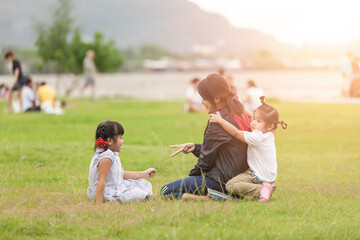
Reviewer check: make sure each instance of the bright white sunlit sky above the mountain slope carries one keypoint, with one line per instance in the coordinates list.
(296, 22)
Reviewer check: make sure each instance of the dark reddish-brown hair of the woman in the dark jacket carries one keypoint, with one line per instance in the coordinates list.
(215, 85)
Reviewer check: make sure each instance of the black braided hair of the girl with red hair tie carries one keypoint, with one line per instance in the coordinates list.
(108, 129)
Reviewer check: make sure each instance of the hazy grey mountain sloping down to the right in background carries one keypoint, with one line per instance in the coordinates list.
(177, 25)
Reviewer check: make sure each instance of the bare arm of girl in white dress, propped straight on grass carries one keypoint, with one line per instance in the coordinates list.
(103, 168)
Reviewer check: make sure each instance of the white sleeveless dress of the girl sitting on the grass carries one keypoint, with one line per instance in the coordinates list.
(116, 187)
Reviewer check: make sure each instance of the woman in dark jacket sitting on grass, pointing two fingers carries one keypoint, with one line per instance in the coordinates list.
(221, 156)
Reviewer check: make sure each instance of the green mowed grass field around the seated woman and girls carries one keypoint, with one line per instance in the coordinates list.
(44, 164)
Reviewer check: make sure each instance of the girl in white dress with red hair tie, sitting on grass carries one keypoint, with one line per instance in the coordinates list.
(107, 179)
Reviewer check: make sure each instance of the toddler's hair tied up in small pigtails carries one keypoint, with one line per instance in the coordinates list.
(270, 114)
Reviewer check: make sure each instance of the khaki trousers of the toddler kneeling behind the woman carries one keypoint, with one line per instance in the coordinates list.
(243, 184)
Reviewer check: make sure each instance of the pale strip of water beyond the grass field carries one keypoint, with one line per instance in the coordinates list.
(287, 85)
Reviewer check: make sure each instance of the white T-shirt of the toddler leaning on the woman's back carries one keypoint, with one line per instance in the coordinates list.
(261, 154)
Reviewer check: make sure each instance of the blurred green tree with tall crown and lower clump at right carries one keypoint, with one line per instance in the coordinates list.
(62, 46)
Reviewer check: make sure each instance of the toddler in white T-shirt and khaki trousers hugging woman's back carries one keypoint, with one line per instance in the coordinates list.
(258, 181)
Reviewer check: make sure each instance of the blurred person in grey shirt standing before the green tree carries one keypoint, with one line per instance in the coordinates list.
(90, 71)
